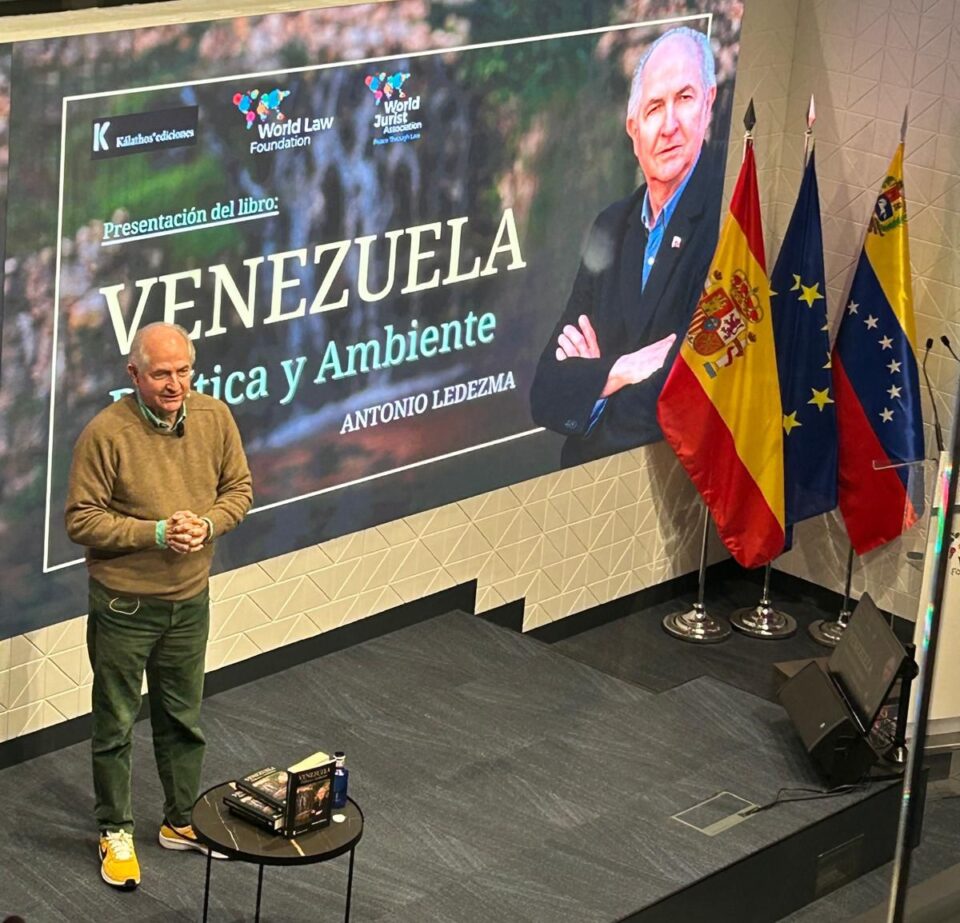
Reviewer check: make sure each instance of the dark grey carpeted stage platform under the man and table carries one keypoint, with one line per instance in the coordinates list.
(501, 781)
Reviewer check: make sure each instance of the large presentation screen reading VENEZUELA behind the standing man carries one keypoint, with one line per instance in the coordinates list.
(369, 219)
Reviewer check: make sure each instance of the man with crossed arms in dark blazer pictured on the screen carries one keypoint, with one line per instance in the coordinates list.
(644, 265)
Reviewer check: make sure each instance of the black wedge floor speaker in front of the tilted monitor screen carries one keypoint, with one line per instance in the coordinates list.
(841, 753)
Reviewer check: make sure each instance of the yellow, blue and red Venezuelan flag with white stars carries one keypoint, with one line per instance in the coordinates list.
(876, 381)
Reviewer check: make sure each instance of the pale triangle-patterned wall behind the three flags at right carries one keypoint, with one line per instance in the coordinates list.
(865, 62)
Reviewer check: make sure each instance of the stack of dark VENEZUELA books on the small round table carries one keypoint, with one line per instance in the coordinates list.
(286, 801)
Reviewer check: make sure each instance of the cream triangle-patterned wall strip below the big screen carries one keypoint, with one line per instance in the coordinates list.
(563, 543)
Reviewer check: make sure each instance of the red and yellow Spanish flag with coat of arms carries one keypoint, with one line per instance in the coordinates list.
(720, 406)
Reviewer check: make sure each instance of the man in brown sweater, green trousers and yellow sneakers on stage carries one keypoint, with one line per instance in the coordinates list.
(151, 486)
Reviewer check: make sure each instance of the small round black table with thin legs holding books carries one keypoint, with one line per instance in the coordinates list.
(224, 832)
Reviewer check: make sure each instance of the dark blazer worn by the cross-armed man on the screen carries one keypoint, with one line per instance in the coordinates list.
(608, 290)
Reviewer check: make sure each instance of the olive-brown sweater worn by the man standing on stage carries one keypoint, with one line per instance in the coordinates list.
(126, 475)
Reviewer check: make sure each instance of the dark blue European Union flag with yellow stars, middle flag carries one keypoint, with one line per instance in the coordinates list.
(801, 330)
